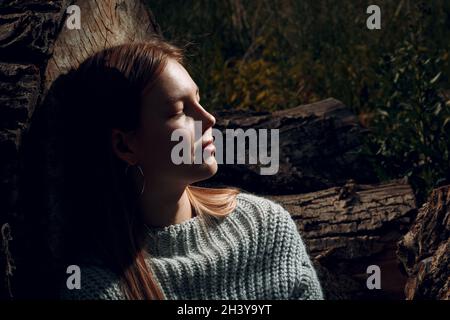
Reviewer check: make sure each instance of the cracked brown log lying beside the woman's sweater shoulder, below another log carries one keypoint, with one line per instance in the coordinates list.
(346, 229)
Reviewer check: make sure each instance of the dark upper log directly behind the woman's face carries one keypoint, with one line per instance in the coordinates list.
(319, 145)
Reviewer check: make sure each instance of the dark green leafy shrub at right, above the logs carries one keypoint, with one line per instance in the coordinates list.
(411, 118)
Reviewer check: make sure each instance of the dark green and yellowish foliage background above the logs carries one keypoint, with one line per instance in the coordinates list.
(268, 55)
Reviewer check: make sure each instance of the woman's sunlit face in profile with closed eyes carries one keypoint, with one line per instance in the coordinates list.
(173, 103)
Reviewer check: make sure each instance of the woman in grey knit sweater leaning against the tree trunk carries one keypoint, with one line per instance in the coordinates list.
(136, 226)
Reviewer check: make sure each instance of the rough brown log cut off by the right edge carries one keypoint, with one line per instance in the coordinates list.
(425, 249)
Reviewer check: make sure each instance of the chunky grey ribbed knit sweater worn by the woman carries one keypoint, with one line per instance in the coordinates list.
(255, 252)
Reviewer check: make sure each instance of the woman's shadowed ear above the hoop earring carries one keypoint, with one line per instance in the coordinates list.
(124, 146)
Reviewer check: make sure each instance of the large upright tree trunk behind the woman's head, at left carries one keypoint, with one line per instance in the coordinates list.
(36, 47)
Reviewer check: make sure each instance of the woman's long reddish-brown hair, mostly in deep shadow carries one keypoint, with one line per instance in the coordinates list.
(101, 221)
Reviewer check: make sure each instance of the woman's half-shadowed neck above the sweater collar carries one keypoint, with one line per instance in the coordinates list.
(165, 206)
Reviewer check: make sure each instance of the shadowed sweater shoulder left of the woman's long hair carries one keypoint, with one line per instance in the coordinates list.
(96, 283)
